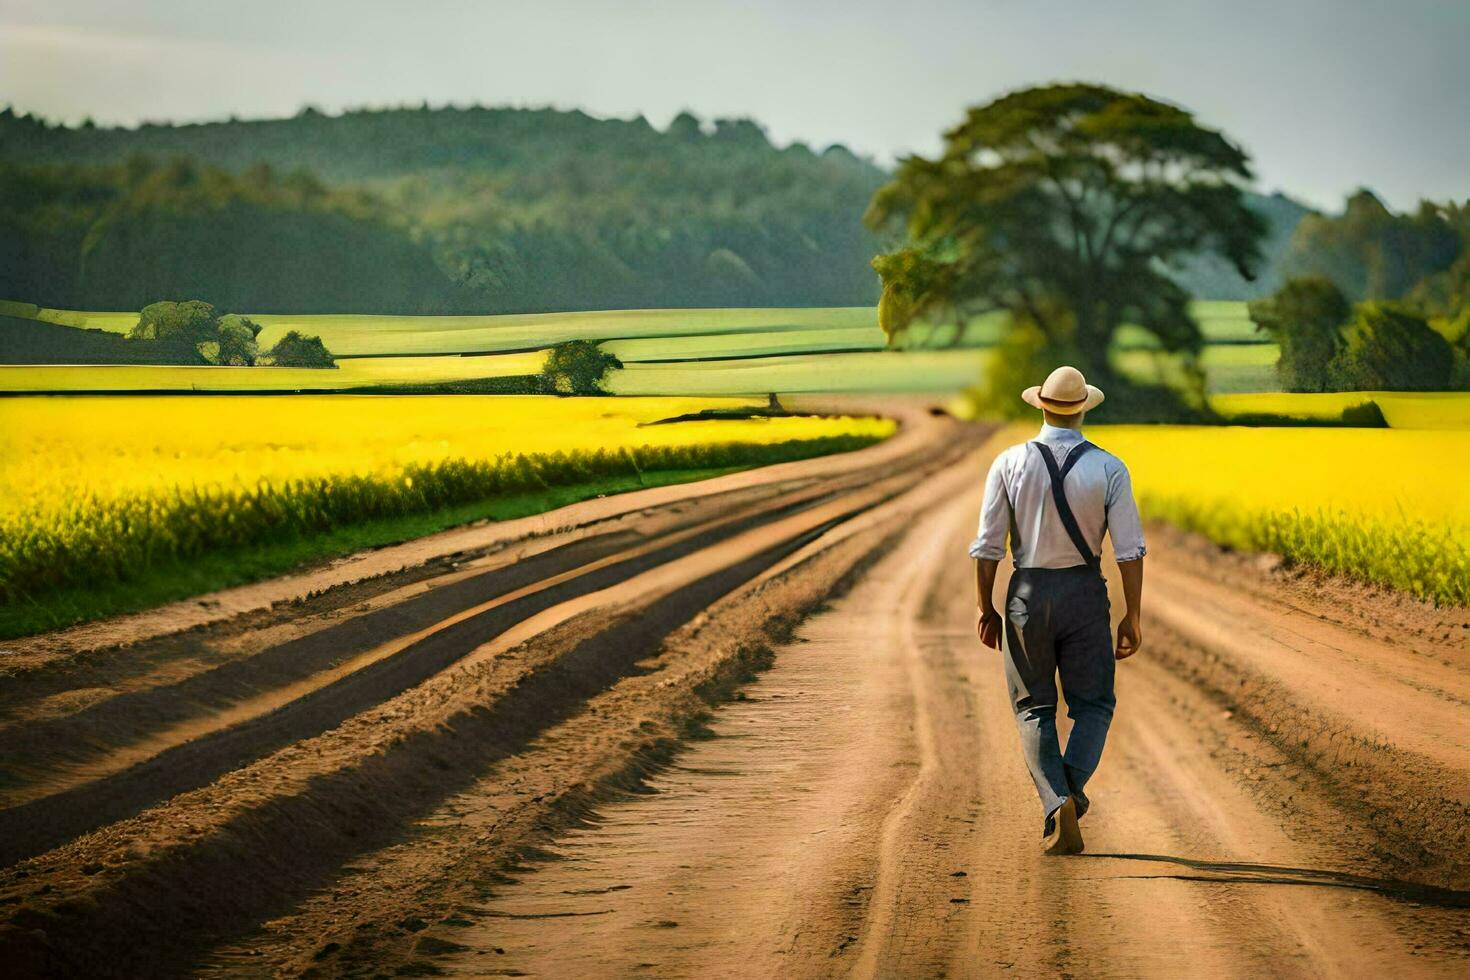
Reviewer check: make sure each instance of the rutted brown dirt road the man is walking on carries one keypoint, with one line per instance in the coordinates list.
(736, 731)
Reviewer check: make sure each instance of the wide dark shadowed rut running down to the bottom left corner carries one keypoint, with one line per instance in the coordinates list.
(274, 856)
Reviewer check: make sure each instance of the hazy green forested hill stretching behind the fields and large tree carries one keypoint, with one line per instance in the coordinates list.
(446, 211)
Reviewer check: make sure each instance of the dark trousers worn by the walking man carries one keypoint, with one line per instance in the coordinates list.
(1058, 625)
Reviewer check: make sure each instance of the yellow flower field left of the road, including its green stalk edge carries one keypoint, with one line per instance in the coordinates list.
(101, 490)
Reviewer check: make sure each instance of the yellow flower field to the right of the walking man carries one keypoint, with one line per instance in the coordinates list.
(1387, 506)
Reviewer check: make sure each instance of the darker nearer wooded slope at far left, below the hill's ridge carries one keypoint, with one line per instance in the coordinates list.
(120, 237)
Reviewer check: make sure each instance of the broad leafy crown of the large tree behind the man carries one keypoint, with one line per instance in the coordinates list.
(1065, 206)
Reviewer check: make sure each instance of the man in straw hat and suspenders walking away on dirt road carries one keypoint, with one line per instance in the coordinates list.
(1056, 497)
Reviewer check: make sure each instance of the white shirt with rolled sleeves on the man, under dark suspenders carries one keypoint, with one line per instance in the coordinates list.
(1018, 487)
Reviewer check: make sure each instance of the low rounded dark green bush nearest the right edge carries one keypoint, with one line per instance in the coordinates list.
(1391, 349)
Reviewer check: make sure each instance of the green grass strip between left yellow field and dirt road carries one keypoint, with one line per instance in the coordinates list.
(221, 571)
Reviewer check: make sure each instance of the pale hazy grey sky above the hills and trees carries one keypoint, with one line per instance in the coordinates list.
(1327, 95)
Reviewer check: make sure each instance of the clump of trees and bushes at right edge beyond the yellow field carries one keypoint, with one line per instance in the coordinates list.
(1375, 300)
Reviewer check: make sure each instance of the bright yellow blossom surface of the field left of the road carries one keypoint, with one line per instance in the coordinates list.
(107, 447)
